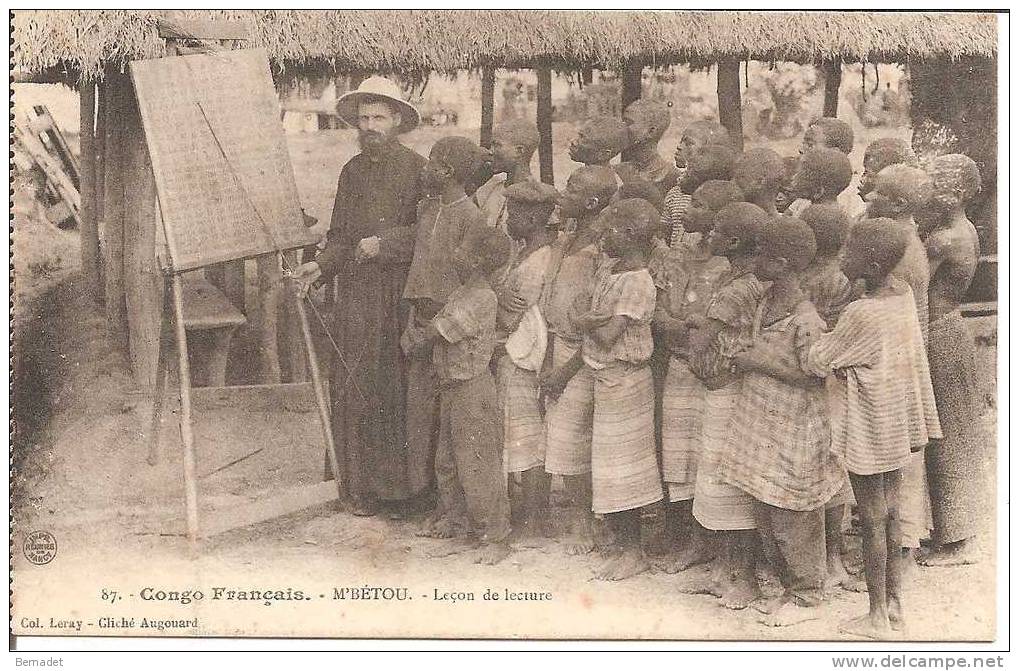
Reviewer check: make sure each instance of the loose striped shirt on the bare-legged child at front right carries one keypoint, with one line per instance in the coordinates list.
(888, 407)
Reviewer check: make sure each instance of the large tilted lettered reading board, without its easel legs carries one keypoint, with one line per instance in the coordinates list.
(224, 177)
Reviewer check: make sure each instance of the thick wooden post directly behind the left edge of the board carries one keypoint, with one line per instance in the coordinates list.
(143, 278)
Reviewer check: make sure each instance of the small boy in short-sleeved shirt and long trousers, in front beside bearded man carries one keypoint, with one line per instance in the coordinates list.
(461, 339)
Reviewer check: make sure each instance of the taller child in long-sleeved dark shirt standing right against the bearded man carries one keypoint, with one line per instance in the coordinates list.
(445, 218)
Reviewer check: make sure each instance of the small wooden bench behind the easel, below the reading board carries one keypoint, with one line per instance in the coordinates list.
(207, 311)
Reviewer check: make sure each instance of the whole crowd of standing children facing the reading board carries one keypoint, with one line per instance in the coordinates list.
(713, 356)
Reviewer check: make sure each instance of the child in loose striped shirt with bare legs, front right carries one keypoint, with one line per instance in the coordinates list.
(887, 408)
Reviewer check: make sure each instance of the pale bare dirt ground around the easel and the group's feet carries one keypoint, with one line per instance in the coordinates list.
(81, 474)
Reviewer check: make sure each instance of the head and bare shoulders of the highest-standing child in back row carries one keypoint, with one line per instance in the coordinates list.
(648, 122)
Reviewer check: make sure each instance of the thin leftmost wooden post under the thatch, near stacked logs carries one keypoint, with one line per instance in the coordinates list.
(90, 227)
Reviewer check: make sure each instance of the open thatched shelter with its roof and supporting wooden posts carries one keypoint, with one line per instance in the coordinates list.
(90, 50)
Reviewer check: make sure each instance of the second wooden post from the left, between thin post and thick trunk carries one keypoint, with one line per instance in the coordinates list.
(118, 91)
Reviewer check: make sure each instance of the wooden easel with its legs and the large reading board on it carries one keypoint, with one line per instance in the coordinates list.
(246, 207)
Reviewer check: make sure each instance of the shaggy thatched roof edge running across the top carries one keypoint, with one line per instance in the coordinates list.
(78, 44)
